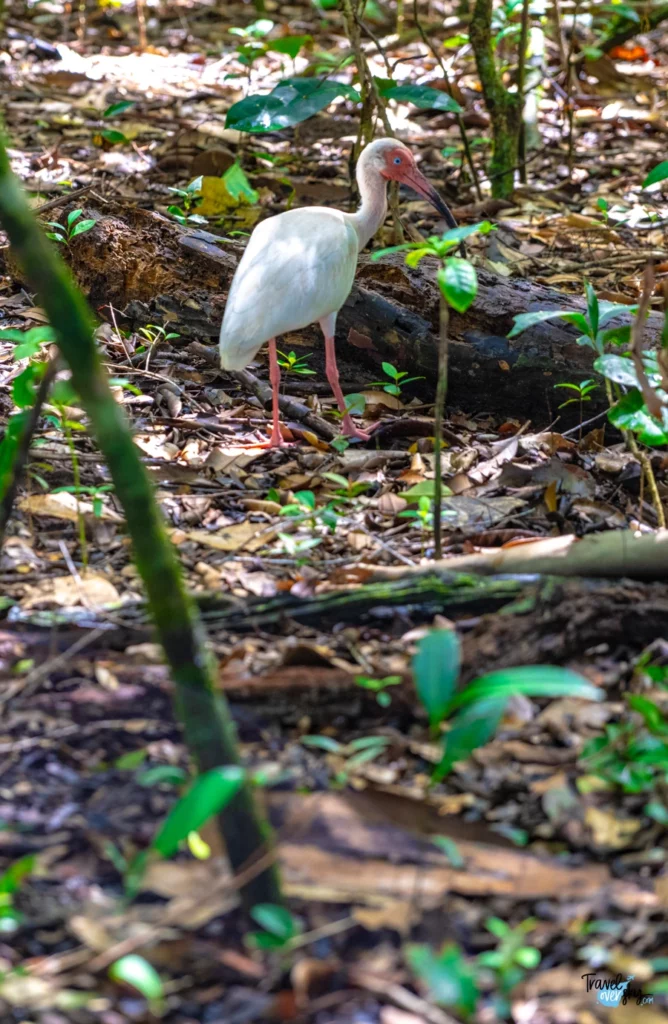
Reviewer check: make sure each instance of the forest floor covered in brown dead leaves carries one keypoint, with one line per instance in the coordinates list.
(375, 861)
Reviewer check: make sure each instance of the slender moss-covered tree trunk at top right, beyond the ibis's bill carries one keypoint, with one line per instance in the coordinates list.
(505, 108)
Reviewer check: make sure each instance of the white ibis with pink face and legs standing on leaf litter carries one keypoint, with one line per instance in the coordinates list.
(300, 267)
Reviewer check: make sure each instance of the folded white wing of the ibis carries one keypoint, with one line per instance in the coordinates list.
(298, 269)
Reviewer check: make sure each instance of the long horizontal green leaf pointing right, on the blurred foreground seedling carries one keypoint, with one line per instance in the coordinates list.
(532, 681)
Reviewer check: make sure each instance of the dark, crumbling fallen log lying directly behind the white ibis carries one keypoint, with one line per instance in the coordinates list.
(155, 272)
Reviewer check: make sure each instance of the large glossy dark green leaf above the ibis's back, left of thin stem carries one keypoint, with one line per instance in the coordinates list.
(294, 101)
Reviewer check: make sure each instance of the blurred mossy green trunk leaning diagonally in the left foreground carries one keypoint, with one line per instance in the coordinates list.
(207, 722)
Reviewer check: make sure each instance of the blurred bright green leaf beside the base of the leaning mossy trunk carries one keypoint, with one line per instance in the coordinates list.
(210, 794)
